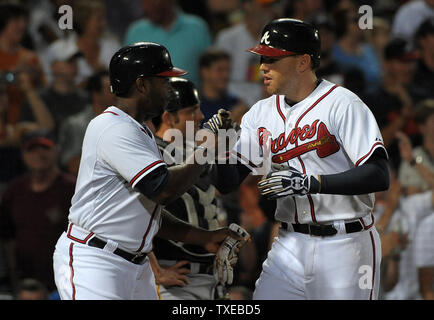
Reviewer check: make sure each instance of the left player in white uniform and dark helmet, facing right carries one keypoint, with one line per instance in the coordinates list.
(122, 186)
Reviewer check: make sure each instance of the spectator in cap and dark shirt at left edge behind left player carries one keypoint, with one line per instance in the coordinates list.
(33, 210)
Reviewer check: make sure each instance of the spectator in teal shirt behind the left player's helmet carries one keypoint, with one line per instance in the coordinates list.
(185, 36)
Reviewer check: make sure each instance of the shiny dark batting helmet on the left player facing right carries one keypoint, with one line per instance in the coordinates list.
(142, 59)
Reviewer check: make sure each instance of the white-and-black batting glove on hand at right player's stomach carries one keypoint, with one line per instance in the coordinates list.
(283, 183)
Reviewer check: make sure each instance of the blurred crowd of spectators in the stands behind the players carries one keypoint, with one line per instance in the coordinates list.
(53, 81)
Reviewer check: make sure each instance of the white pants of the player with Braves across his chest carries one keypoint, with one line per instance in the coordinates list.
(304, 267)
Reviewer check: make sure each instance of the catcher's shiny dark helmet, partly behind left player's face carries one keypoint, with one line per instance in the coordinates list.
(184, 94)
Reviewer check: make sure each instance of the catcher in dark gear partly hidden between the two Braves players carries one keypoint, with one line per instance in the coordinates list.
(188, 269)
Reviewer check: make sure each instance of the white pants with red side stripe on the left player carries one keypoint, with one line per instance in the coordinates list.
(82, 272)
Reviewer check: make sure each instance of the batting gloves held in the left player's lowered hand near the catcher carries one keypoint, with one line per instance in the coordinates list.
(227, 255)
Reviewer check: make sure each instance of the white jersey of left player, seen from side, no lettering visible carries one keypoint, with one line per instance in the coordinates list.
(117, 152)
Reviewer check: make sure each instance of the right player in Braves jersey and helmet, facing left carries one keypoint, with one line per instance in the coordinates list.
(328, 159)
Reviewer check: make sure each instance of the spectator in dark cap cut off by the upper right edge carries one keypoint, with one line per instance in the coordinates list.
(423, 80)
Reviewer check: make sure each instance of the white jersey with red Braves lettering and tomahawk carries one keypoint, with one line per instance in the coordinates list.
(328, 132)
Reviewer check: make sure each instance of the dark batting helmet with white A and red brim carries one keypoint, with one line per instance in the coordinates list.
(285, 37)
